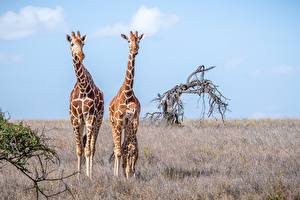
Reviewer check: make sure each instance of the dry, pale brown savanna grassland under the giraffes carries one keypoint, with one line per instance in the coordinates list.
(241, 159)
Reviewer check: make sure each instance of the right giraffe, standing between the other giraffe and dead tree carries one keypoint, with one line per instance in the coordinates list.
(124, 111)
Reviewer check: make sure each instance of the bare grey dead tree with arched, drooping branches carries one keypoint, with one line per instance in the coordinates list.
(170, 106)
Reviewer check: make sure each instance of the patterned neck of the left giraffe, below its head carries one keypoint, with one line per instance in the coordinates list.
(83, 78)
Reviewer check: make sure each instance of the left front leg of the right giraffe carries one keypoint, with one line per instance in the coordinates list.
(117, 130)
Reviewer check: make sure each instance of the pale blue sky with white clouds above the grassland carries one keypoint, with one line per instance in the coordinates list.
(254, 44)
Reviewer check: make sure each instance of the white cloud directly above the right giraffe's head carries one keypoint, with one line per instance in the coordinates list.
(146, 20)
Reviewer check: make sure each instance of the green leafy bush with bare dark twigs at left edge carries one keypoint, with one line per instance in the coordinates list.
(27, 151)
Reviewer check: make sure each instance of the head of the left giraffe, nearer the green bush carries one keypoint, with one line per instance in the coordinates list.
(77, 43)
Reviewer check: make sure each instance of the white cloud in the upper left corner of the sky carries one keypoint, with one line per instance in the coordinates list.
(29, 20)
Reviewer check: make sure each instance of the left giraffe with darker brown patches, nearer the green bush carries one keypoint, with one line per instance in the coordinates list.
(86, 106)
